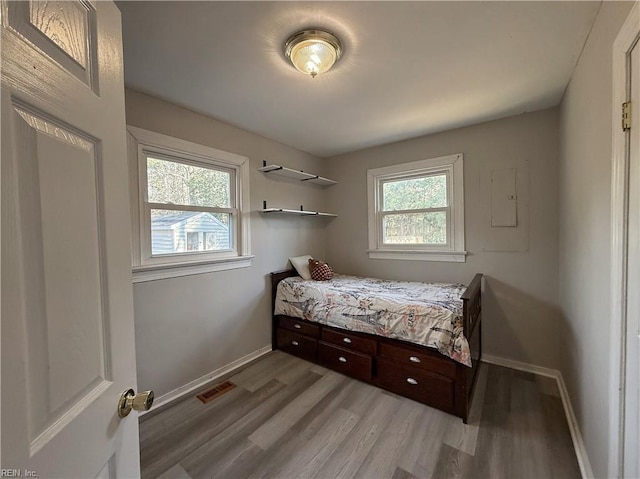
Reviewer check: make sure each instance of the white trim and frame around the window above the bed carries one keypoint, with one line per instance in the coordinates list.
(452, 252)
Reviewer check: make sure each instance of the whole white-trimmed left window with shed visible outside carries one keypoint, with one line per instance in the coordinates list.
(189, 207)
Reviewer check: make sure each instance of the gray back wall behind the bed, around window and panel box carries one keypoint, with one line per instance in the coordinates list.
(521, 314)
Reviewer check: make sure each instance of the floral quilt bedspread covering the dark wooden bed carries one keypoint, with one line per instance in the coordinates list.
(429, 314)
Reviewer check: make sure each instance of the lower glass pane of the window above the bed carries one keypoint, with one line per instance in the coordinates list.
(415, 228)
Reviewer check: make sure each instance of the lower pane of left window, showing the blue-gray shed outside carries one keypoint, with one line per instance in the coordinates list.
(183, 231)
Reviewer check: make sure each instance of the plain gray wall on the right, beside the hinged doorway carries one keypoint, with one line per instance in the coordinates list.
(585, 229)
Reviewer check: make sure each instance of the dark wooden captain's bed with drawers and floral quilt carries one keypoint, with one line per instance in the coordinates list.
(419, 340)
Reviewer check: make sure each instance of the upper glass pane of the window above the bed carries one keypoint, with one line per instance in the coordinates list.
(415, 193)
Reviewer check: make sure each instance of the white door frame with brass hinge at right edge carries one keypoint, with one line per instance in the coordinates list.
(624, 43)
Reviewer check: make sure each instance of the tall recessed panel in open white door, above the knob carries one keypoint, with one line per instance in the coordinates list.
(68, 365)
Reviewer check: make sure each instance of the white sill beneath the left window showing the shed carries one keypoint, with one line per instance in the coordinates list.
(142, 274)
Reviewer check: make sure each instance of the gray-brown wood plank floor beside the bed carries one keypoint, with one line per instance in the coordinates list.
(288, 418)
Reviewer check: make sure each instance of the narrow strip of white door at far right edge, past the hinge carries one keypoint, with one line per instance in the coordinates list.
(632, 389)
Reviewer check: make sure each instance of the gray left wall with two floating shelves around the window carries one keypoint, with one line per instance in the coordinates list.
(189, 326)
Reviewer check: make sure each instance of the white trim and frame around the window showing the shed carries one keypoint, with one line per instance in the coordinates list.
(148, 268)
